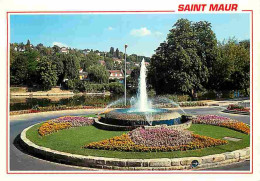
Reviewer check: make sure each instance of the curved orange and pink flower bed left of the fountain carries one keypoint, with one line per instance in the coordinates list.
(65, 122)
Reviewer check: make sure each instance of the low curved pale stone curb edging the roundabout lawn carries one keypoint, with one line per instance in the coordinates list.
(186, 163)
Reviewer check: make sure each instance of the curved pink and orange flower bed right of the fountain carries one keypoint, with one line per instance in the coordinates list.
(222, 121)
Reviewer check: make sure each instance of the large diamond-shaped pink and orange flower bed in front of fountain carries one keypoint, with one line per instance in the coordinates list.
(157, 139)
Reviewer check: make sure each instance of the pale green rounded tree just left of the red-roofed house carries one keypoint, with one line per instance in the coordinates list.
(98, 74)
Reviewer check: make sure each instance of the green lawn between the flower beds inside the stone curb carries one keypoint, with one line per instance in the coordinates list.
(72, 141)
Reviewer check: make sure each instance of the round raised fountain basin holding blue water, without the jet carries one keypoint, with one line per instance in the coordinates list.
(133, 118)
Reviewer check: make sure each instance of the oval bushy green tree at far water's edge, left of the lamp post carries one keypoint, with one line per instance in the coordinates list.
(47, 72)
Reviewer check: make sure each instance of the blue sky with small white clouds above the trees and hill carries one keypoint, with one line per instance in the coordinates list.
(143, 33)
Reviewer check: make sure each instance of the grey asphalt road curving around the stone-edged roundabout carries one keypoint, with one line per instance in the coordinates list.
(21, 161)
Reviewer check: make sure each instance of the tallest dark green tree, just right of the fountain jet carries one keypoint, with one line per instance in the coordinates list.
(178, 66)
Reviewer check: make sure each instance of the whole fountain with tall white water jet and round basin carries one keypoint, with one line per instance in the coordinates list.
(141, 113)
